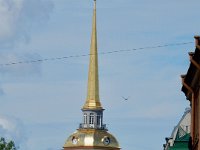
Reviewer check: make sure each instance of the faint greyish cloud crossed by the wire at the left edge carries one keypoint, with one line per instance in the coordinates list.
(18, 70)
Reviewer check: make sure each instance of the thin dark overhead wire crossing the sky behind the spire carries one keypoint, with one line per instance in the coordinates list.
(84, 55)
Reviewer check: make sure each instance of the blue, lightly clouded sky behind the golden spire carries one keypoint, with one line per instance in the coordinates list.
(41, 102)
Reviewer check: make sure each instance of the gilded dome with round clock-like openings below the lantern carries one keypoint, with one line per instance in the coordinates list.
(91, 138)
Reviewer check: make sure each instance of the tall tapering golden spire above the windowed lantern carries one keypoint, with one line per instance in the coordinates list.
(93, 101)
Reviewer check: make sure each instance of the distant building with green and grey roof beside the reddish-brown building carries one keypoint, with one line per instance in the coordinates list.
(180, 137)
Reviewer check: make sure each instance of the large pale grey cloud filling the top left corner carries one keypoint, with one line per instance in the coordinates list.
(18, 17)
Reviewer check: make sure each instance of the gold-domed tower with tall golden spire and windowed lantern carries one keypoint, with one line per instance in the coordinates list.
(92, 132)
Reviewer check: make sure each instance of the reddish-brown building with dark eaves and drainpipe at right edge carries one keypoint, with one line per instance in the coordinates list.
(191, 88)
